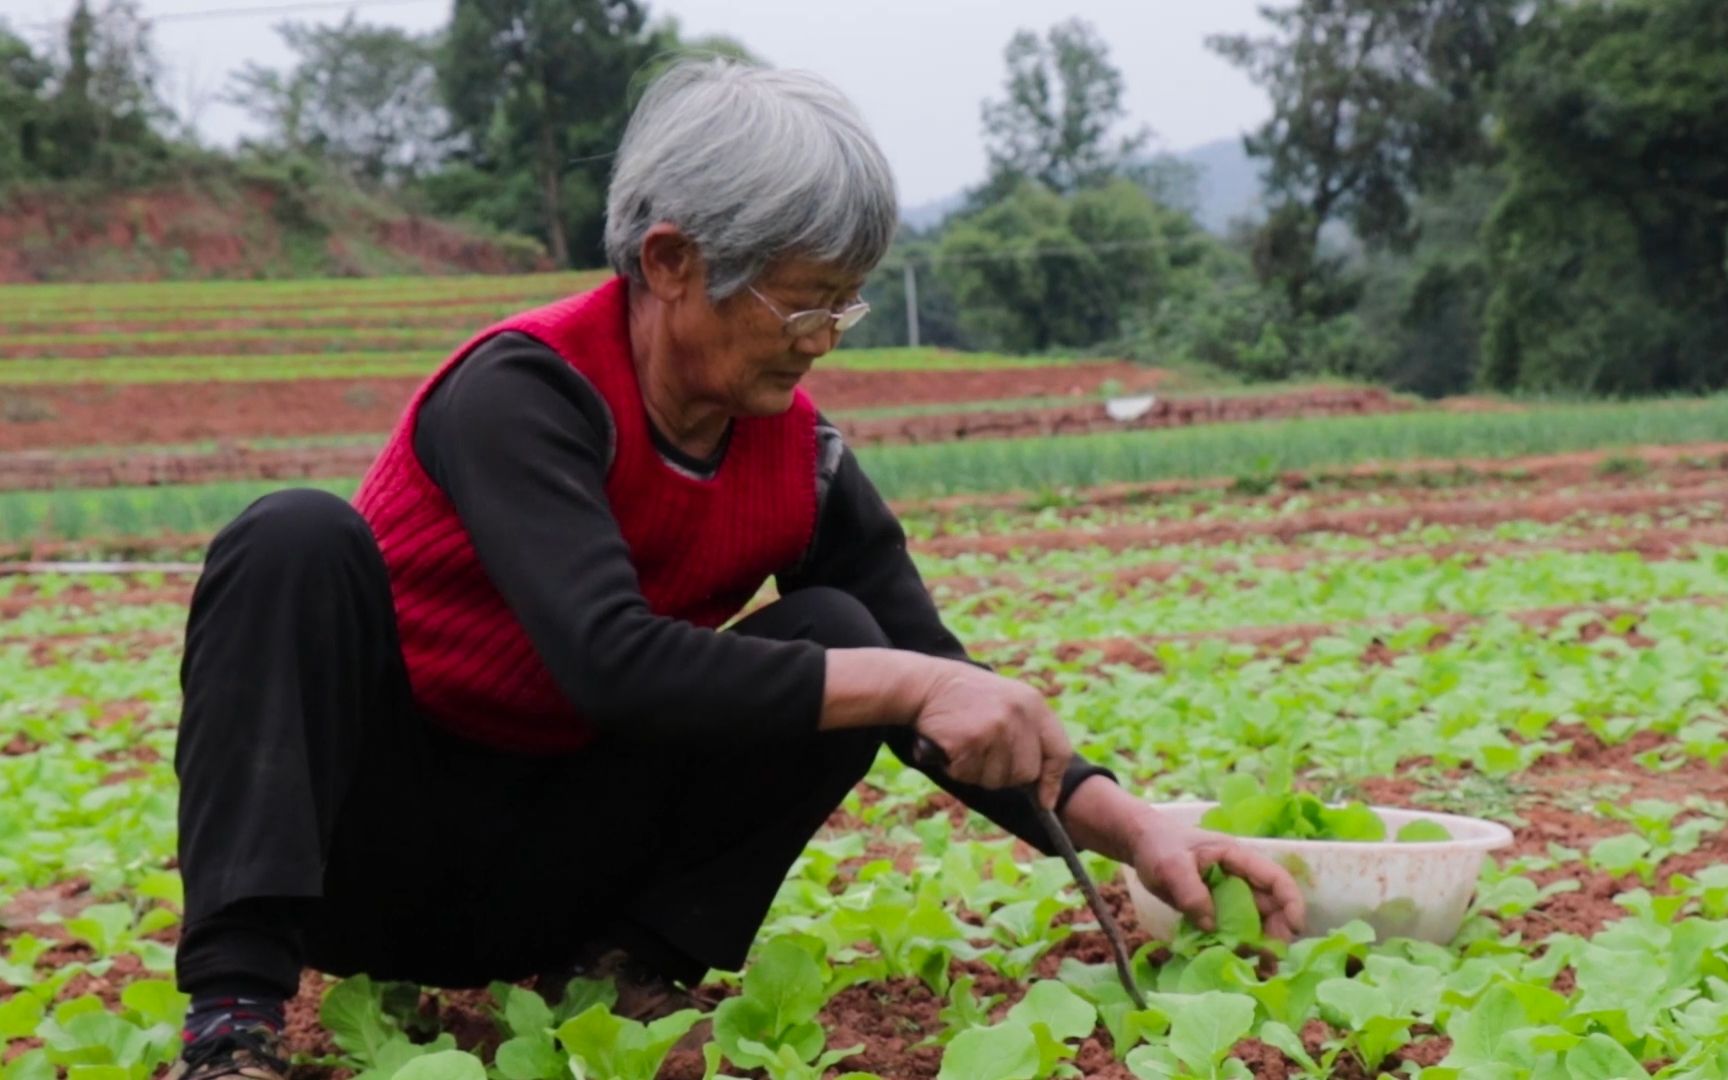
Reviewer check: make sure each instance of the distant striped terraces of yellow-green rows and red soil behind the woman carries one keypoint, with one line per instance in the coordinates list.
(168, 365)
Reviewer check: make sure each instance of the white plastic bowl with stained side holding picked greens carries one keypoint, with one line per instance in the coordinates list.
(1409, 891)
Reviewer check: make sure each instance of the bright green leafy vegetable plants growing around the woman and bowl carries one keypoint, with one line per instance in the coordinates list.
(955, 917)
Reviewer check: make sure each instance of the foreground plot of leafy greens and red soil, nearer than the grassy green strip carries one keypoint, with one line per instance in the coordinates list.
(1513, 663)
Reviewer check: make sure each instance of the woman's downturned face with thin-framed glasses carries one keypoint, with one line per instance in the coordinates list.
(749, 360)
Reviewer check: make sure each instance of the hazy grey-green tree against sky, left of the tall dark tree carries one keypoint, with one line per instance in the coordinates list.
(362, 98)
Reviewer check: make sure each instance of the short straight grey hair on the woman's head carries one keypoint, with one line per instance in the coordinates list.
(753, 165)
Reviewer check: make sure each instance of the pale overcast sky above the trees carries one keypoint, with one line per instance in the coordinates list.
(917, 68)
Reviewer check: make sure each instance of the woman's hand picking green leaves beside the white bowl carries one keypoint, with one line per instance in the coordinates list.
(1172, 861)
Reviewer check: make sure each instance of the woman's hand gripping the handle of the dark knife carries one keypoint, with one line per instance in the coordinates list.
(994, 732)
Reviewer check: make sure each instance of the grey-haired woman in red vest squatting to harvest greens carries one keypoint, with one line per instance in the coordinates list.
(485, 723)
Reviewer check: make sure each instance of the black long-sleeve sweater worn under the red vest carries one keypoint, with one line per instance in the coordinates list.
(521, 443)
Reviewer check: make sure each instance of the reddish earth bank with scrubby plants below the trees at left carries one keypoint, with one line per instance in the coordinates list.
(238, 227)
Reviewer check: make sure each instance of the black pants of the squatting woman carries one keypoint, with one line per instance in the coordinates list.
(308, 777)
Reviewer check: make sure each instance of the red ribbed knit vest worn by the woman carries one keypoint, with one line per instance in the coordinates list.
(702, 549)
